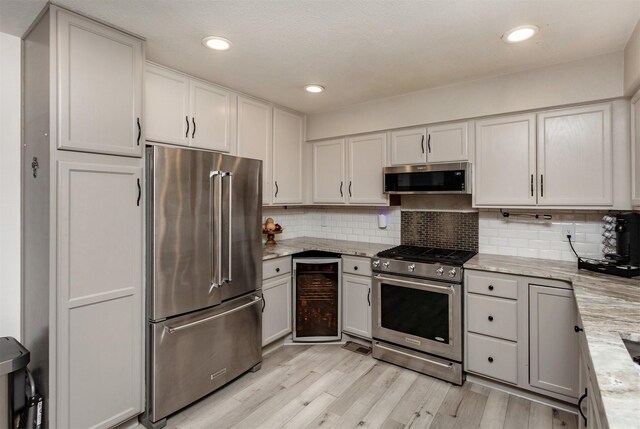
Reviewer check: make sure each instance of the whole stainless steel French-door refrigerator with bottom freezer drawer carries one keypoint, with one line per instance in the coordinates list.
(204, 272)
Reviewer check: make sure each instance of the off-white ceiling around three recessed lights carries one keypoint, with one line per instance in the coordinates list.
(359, 50)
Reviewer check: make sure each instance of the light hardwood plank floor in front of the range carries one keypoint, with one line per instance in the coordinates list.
(325, 386)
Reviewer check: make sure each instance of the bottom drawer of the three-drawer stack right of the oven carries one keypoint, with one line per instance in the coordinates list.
(492, 357)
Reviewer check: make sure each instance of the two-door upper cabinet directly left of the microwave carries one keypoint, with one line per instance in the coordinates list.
(350, 172)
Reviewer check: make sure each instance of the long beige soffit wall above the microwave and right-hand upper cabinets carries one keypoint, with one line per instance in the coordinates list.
(590, 79)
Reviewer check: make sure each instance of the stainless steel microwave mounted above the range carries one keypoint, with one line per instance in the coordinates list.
(449, 178)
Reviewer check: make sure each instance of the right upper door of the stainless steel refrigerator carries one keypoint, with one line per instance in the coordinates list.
(241, 230)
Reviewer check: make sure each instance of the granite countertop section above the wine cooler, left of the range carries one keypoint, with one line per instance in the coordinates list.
(295, 245)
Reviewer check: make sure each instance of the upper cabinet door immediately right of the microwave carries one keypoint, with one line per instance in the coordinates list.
(505, 161)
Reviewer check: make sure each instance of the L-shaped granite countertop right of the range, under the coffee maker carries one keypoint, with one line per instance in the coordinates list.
(609, 308)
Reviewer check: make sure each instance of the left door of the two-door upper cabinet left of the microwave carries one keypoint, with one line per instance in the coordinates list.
(329, 172)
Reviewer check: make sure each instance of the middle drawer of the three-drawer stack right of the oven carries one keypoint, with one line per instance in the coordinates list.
(497, 317)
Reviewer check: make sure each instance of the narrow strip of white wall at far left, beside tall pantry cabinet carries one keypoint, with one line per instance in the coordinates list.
(9, 185)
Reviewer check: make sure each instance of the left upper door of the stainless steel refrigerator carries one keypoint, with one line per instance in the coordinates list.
(180, 232)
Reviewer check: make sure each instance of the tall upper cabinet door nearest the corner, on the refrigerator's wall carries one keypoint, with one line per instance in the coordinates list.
(287, 157)
